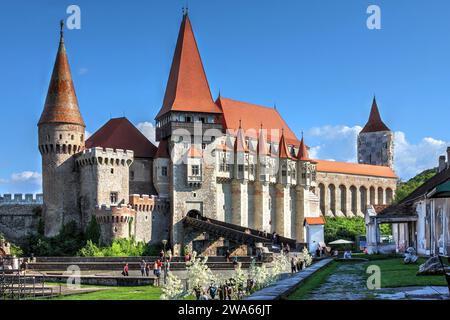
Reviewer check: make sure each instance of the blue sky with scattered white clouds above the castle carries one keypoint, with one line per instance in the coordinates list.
(316, 60)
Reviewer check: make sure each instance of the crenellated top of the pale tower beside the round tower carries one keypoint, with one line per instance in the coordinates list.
(105, 156)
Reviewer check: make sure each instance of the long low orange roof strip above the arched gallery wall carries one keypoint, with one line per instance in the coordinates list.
(353, 168)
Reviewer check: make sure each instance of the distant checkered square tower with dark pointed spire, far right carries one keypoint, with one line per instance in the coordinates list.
(376, 141)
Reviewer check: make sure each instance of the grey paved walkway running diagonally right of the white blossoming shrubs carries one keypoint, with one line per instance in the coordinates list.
(286, 286)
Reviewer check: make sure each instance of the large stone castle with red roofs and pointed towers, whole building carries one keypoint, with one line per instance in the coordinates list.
(223, 171)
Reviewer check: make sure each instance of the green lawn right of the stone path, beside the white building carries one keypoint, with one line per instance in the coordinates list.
(396, 274)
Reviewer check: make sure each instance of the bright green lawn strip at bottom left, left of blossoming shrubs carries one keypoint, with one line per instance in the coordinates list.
(118, 293)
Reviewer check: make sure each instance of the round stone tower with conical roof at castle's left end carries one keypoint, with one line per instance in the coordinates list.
(61, 135)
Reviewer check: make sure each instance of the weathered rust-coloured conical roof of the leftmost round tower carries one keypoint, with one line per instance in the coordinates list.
(61, 105)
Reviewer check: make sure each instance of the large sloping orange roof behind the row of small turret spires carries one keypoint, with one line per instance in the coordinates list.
(253, 117)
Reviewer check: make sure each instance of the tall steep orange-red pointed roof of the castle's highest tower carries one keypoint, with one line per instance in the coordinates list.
(187, 88)
